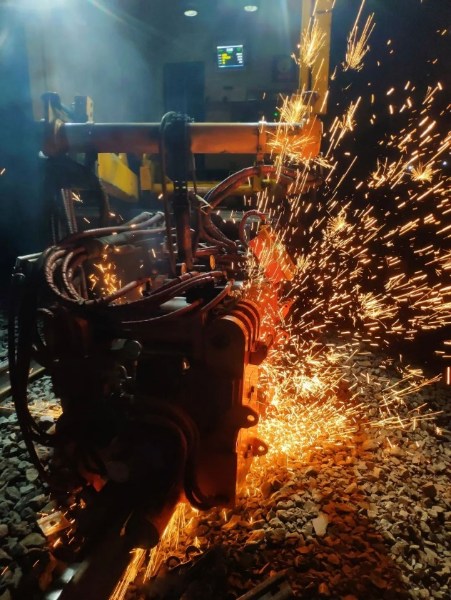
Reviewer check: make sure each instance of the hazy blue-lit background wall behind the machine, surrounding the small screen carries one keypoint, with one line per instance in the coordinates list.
(115, 50)
